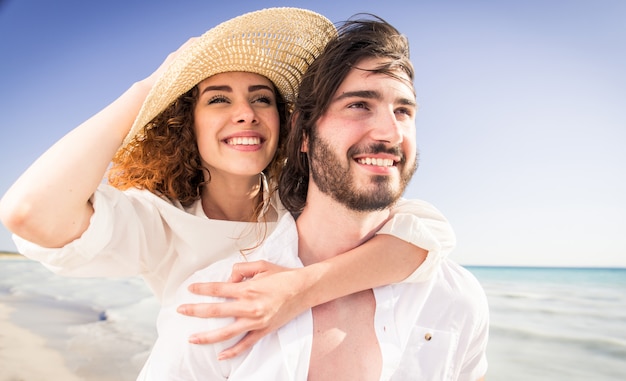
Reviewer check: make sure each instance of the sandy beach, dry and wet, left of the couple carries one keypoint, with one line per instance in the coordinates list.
(35, 344)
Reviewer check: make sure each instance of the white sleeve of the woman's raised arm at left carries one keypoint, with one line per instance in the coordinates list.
(121, 231)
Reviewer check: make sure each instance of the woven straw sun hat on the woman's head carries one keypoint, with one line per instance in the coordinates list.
(278, 43)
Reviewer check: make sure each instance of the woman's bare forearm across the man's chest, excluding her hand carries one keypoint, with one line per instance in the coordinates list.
(382, 260)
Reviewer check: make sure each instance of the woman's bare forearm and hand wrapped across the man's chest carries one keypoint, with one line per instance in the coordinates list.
(266, 296)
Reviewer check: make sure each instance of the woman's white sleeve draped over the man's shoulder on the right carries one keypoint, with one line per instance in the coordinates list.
(423, 225)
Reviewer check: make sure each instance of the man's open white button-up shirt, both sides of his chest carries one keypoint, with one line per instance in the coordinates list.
(431, 330)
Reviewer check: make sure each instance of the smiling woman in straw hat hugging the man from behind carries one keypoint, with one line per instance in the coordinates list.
(194, 159)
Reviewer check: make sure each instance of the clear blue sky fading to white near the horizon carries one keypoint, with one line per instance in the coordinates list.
(522, 127)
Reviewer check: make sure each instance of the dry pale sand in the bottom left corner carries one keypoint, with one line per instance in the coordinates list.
(24, 356)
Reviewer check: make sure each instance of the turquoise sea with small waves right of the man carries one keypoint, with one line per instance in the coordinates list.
(555, 324)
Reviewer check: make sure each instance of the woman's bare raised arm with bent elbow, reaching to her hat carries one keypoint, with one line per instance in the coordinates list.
(49, 204)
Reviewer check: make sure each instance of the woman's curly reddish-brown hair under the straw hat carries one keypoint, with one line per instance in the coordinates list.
(165, 160)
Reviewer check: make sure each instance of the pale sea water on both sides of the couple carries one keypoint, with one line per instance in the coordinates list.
(546, 323)
